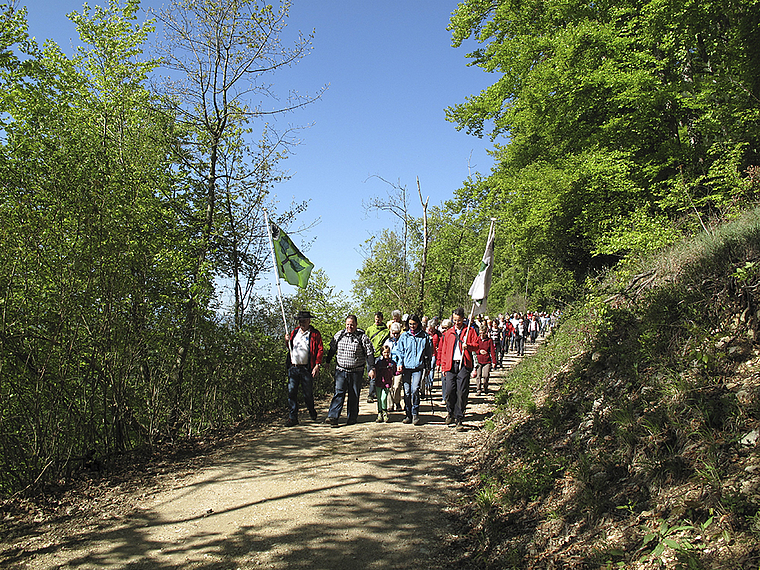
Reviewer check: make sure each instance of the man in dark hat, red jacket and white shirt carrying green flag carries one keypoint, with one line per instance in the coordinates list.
(305, 351)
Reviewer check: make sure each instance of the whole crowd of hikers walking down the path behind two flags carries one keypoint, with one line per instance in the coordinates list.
(402, 357)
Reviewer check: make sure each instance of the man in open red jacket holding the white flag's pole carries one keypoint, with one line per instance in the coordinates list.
(457, 346)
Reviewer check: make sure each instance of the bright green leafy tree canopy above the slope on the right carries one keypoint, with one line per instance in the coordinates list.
(616, 123)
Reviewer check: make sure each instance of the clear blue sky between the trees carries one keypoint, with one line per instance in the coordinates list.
(391, 72)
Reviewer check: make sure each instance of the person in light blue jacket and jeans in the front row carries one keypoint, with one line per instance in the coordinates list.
(412, 354)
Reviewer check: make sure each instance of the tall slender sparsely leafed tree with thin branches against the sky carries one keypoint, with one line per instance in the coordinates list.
(219, 54)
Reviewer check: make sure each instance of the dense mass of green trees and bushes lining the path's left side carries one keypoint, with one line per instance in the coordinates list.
(109, 338)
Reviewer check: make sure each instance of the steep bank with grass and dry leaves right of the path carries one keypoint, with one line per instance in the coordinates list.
(631, 441)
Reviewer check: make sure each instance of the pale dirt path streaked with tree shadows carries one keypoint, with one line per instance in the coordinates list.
(312, 496)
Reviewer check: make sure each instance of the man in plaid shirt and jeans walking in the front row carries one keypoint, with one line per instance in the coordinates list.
(354, 351)
